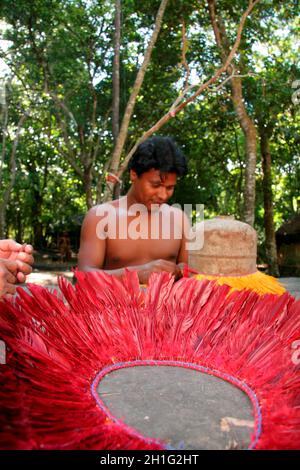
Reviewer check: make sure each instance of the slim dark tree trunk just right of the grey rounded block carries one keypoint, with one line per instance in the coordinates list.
(271, 250)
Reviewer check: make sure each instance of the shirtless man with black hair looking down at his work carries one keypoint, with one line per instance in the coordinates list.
(154, 169)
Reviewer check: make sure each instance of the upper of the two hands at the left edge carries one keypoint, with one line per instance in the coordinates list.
(13, 251)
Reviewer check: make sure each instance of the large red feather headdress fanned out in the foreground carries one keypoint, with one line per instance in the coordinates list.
(59, 347)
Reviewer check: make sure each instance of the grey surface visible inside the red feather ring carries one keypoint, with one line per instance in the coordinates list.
(182, 407)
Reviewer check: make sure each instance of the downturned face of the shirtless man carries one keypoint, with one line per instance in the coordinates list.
(153, 187)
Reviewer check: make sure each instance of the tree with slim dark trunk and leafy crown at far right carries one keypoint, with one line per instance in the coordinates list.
(270, 97)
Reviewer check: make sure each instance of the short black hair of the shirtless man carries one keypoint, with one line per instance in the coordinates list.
(159, 153)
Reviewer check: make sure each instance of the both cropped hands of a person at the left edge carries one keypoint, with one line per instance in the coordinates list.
(15, 264)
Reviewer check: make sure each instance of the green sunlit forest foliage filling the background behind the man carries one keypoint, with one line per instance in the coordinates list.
(57, 101)
